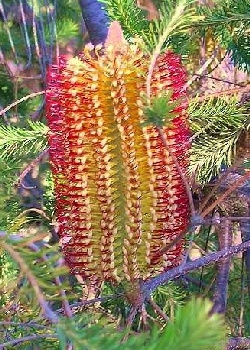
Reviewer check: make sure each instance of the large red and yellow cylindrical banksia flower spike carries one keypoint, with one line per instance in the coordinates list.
(119, 197)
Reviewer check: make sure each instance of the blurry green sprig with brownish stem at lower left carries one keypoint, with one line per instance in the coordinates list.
(43, 267)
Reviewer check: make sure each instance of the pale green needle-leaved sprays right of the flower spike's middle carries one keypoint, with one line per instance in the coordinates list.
(217, 124)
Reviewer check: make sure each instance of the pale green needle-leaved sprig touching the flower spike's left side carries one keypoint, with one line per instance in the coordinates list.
(16, 142)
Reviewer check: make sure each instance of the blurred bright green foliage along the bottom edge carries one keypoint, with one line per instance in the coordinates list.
(191, 329)
